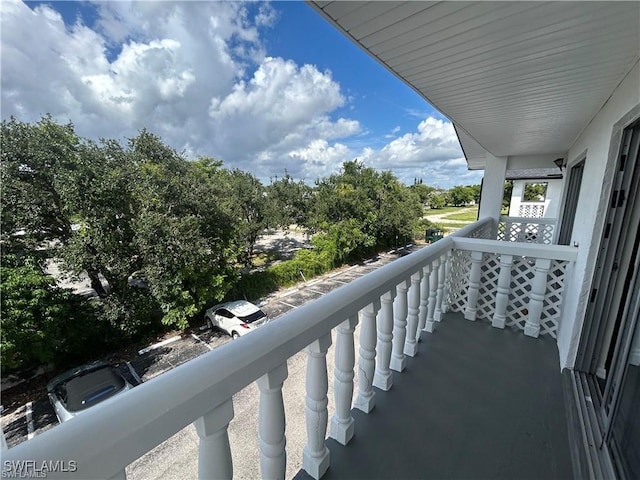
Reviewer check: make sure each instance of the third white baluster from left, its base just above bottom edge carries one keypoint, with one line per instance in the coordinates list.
(315, 456)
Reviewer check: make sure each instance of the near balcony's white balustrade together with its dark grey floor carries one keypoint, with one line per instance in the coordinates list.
(476, 397)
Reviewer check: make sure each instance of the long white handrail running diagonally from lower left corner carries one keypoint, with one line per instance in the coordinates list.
(128, 427)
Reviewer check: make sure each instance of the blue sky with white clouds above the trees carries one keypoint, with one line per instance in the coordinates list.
(261, 86)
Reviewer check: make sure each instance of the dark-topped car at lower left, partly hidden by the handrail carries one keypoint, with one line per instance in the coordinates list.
(80, 388)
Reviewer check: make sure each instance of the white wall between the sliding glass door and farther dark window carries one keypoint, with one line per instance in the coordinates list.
(599, 142)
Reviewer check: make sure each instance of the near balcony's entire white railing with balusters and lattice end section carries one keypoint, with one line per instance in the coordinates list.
(394, 305)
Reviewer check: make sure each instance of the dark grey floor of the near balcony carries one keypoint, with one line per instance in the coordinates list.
(476, 402)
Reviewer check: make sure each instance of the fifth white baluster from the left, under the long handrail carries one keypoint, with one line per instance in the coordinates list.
(365, 400)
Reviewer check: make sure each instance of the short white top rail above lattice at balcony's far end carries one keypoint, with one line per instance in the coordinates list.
(537, 250)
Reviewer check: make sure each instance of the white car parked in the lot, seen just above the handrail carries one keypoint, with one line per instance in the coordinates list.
(236, 318)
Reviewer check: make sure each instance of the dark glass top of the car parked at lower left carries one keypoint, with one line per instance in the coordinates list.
(90, 388)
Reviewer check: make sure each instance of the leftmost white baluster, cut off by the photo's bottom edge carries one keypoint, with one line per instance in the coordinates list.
(214, 452)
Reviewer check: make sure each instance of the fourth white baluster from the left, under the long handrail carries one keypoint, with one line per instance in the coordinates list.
(342, 421)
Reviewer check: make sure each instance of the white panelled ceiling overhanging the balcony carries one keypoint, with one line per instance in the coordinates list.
(516, 78)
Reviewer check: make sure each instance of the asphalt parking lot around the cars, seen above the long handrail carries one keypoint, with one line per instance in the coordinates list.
(23, 421)
